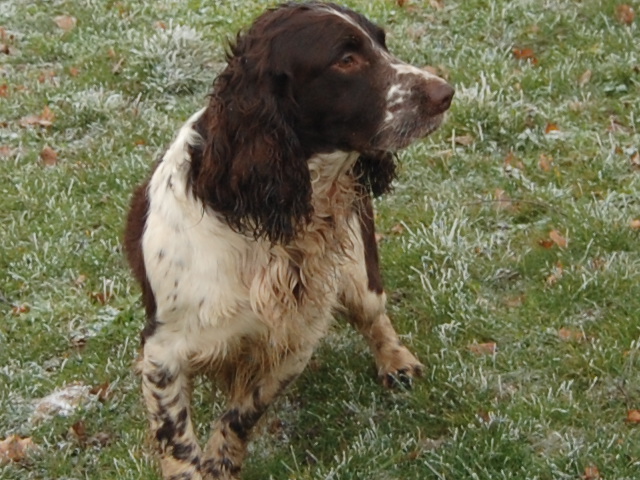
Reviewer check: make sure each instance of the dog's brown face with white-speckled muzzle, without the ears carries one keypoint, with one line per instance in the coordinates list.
(348, 91)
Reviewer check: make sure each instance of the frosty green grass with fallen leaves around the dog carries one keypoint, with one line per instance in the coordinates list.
(532, 145)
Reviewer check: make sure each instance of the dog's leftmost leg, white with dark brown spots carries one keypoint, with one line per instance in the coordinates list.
(165, 386)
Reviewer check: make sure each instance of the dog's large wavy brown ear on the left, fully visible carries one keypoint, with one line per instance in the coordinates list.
(251, 167)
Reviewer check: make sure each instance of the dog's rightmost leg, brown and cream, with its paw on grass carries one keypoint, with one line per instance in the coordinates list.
(364, 298)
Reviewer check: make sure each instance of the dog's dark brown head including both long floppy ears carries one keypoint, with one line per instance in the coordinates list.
(304, 79)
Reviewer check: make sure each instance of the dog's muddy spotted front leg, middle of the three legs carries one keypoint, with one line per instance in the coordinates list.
(230, 435)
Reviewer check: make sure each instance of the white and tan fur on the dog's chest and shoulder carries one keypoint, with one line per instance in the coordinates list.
(215, 287)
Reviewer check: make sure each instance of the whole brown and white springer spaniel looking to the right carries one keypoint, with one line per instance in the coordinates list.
(257, 224)
